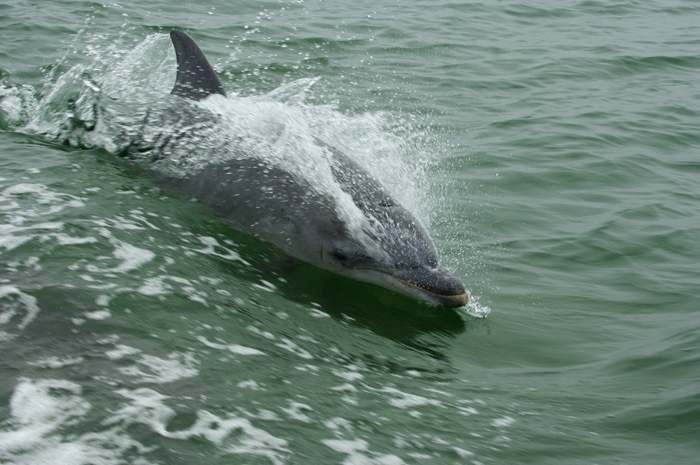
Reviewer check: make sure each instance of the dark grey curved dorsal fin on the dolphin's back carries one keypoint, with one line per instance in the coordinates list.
(196, 80)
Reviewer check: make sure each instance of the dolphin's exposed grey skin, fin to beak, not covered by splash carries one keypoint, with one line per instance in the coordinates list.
(274, 205)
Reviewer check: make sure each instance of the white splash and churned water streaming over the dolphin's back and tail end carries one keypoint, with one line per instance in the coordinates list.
(119, 103)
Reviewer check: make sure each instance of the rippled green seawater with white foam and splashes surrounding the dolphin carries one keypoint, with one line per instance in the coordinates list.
(552, 148)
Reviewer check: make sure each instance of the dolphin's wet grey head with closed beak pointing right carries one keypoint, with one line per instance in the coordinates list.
(392, 249)
